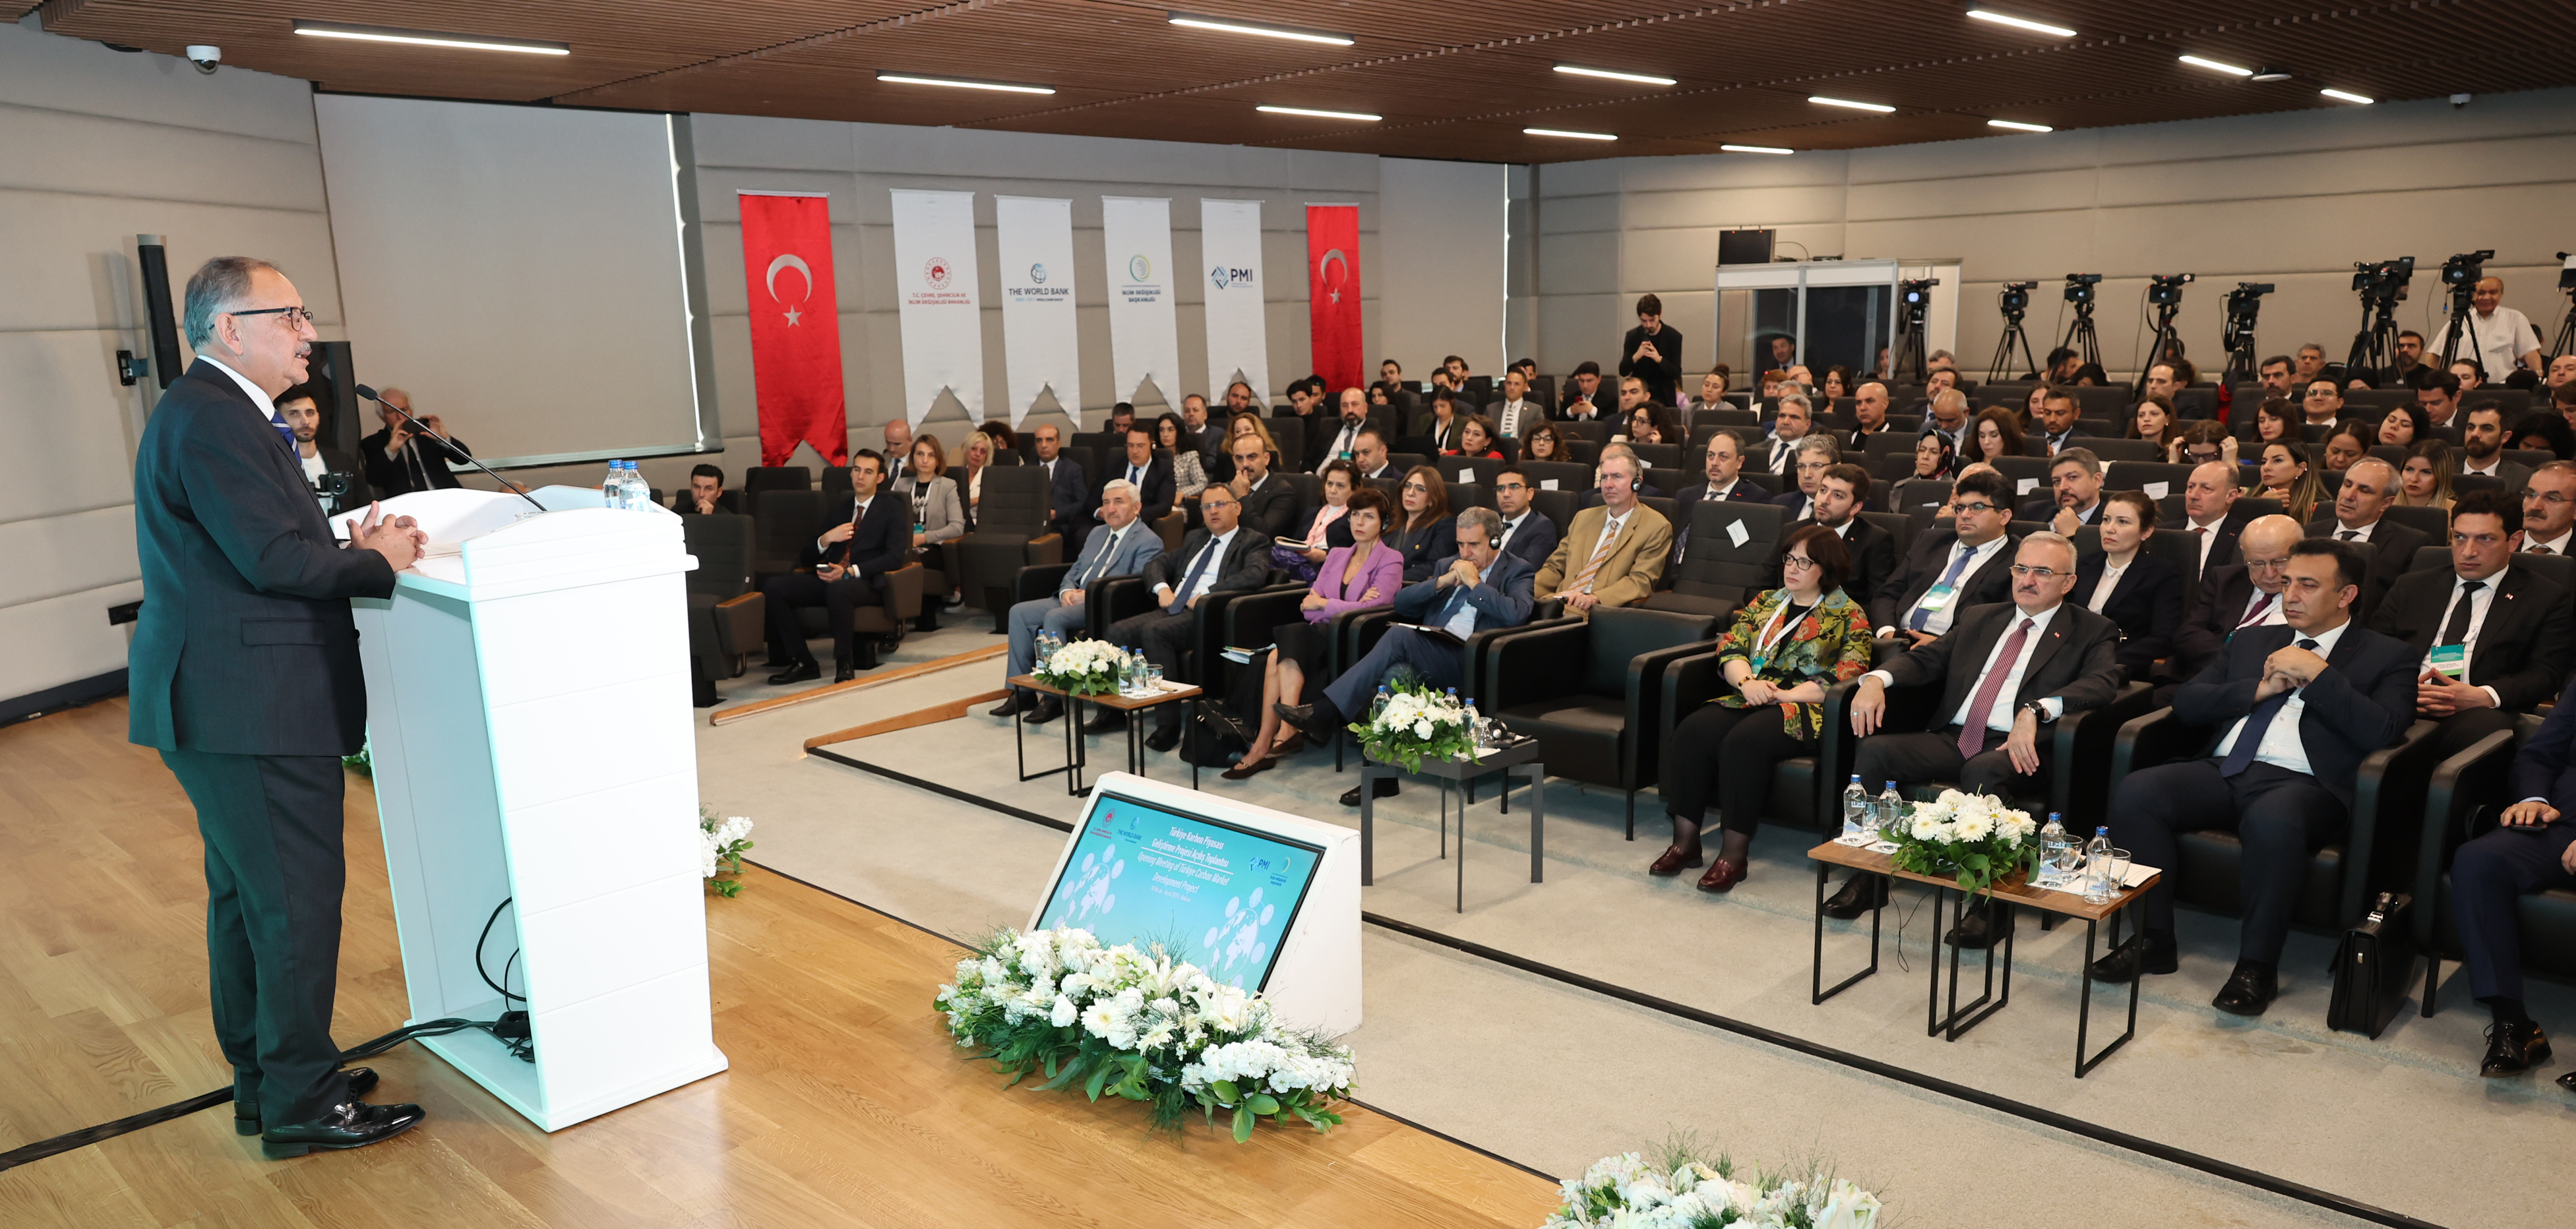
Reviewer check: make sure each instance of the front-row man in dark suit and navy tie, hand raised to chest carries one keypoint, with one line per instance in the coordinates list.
(2291, 715)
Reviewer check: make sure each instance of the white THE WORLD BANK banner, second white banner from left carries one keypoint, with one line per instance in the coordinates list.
(1039, 341)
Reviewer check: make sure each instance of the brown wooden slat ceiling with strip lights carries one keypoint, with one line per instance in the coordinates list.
(1452, 79)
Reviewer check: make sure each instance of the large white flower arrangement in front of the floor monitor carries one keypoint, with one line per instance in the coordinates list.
(1140, 1027)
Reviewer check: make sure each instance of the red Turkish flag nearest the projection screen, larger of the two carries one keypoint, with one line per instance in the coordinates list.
(787, 267)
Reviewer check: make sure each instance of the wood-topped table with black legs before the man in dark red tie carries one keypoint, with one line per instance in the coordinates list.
(2008, 895)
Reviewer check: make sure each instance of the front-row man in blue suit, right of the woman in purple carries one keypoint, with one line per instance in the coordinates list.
(1472, 591)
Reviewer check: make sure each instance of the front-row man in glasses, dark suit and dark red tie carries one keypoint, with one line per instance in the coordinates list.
(2008, 671)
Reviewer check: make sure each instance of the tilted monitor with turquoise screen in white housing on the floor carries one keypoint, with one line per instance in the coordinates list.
(1256, 898)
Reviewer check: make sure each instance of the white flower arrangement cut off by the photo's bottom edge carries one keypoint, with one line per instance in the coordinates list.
(1629, 1192)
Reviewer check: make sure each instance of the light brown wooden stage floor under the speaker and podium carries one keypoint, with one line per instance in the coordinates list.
(844, 1104)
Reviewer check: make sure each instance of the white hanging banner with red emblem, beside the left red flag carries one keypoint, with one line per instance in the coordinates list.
(936, 300)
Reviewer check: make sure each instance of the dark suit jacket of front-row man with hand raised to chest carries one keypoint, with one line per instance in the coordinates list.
(2356, 707)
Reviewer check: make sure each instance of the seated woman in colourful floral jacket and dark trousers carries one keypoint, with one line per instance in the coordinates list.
(1781, 653)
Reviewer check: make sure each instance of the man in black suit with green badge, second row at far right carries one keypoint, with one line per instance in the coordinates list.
(2492, 640)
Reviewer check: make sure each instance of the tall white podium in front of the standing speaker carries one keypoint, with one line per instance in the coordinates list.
(532, 741)
